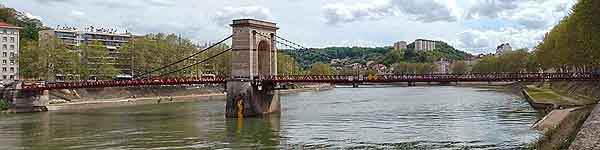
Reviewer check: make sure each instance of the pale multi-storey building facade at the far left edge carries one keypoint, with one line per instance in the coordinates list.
(10, 52)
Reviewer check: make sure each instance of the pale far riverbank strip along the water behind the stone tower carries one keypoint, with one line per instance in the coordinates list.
(97, 99)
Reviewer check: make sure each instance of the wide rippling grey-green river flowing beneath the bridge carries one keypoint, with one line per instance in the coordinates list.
(342, 118)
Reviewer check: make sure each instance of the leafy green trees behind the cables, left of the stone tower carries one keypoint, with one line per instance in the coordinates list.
(154, 51)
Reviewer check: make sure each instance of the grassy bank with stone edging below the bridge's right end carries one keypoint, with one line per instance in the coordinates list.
(562, 95)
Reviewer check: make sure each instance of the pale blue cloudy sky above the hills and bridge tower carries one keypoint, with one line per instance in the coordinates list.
(476, 26)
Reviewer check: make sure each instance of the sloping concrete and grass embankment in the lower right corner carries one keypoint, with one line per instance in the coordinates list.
(568, 109)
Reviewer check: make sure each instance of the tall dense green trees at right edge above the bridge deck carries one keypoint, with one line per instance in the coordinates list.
(573, 44)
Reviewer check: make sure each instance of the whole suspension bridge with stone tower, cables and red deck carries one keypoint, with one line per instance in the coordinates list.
(251, 87)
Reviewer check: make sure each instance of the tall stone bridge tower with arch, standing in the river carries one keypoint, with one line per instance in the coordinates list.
(254, 55)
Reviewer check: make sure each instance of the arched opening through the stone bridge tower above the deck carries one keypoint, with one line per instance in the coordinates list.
(264, 58)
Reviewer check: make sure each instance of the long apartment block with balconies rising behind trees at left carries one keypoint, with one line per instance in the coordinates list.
(108, 39)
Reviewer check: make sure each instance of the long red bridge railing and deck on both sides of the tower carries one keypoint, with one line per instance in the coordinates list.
(471, 77)
